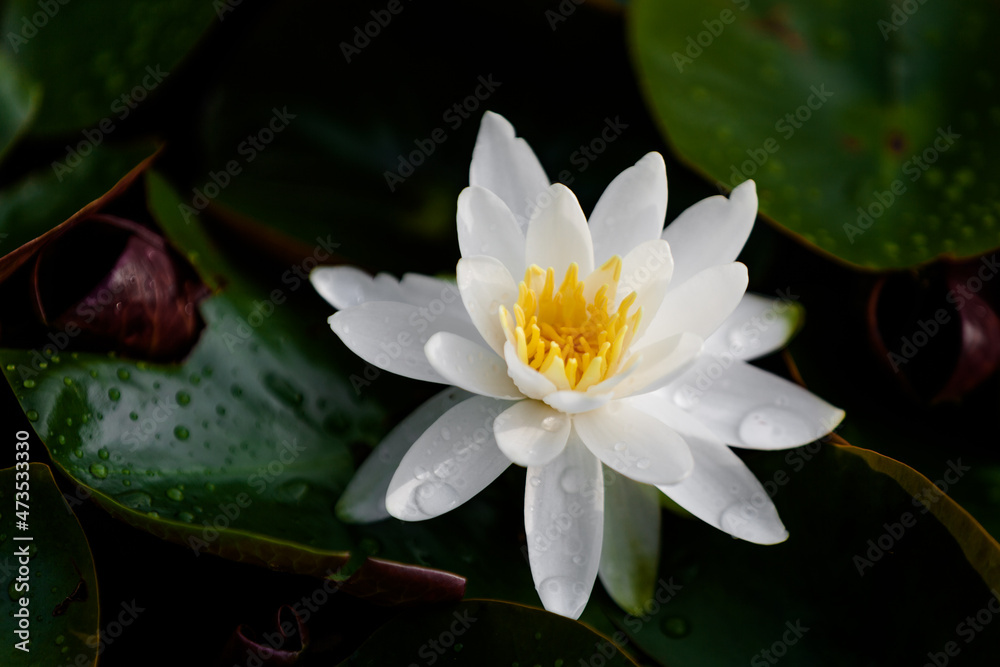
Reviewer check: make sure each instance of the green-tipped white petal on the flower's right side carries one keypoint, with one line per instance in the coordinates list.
(758, 326)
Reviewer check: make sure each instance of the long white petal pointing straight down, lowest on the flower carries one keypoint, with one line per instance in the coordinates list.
(564, 522)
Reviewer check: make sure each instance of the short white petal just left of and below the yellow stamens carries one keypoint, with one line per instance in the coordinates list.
(471, 366)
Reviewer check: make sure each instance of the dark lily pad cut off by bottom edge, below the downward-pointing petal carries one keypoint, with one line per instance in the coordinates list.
(486, 632)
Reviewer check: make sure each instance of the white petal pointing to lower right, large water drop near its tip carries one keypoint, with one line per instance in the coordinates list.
(721, 490)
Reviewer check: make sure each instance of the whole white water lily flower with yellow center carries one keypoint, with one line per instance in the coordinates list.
(608, 353)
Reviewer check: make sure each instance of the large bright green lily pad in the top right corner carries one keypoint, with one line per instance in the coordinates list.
(831, 111)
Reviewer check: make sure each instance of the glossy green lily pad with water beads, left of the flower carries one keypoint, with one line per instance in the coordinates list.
(241, 450)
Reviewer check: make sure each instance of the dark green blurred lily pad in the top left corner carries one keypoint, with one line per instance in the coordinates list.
(99, 61)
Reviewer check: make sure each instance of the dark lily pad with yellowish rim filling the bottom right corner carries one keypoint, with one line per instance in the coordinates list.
(864, 562)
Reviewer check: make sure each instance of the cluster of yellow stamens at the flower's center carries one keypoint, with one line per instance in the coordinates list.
(569, 335)
